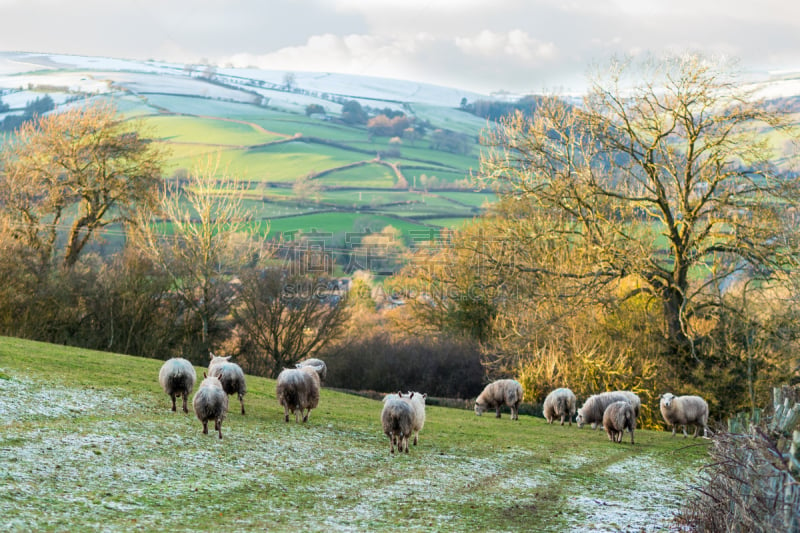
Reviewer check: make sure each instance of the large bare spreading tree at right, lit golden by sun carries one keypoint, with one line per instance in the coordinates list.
(665, 174)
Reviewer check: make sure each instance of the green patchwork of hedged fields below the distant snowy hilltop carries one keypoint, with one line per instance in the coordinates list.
(359, 181)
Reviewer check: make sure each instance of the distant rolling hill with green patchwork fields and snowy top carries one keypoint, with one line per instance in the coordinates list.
(262, 134)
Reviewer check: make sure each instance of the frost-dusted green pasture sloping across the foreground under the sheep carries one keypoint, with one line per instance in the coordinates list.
(89, 443)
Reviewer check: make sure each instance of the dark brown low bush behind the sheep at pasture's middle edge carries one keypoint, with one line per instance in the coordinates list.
(446, 367)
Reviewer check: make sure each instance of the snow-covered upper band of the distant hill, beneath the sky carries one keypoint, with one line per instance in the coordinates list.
(19, 70)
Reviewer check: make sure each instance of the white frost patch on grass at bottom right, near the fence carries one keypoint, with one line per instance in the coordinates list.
(641, 496)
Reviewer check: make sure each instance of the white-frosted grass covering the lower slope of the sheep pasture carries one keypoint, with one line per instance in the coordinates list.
(104, 461)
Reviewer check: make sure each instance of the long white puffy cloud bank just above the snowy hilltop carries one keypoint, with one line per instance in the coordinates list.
(477, 62)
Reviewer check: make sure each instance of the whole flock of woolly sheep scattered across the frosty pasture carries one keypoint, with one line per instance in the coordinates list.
(403, 414)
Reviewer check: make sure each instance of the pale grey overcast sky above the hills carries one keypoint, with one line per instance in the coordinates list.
(482, 45)
